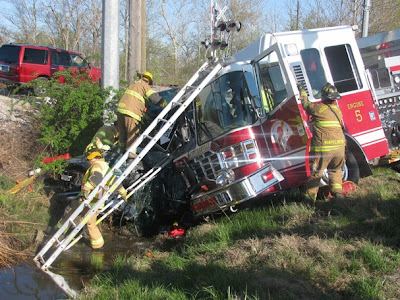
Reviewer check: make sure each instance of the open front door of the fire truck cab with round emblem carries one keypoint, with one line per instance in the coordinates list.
(285, 137)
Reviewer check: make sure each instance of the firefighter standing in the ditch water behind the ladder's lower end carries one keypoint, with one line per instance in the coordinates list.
(98, 168)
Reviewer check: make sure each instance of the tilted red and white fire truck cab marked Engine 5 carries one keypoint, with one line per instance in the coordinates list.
(251, 134)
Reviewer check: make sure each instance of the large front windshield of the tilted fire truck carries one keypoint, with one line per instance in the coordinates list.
(222, 106)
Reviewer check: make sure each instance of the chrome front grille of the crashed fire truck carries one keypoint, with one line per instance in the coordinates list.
(206, 165)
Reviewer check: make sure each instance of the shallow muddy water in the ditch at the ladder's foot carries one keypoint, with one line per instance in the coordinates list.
(77, 265)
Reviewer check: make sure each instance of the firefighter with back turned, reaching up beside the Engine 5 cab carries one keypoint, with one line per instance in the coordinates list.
(328, 142)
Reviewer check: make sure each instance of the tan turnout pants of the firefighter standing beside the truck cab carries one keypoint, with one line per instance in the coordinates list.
(333, 161)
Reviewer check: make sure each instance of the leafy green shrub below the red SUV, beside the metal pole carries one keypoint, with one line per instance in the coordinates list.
(71, 113)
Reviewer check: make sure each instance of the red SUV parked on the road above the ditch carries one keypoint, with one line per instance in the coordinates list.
(21, 63)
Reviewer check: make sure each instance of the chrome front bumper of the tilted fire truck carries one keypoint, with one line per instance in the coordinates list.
(238, 191)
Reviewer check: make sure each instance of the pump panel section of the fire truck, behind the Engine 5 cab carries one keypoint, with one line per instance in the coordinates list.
(381, 55)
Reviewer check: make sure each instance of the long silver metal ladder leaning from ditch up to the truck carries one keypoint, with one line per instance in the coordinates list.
(183, 99)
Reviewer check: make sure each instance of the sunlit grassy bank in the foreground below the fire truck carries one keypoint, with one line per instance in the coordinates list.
(284, 250)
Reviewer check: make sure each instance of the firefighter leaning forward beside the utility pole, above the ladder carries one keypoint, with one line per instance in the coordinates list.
(132, 107)
